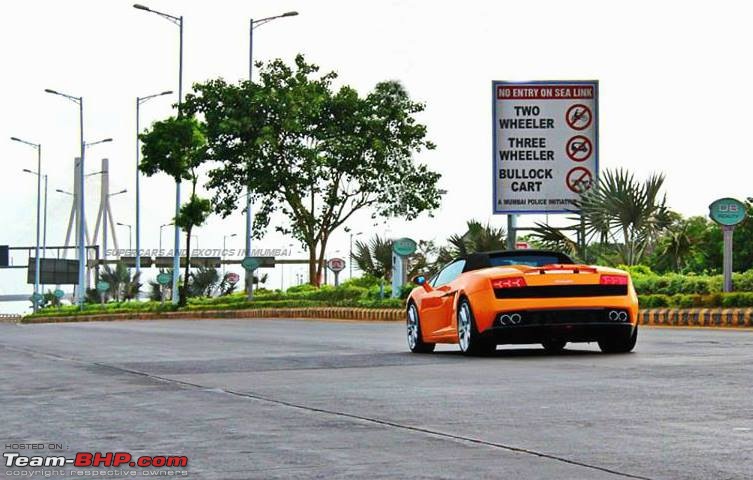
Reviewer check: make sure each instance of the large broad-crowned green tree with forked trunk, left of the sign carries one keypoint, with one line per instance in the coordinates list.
(314, 153)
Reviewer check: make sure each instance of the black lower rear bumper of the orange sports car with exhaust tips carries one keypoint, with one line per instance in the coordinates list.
(571, 325)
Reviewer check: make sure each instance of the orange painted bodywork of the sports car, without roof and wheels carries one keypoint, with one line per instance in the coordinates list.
(437, 307)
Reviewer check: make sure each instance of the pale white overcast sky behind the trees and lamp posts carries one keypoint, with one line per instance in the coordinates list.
(674, 92)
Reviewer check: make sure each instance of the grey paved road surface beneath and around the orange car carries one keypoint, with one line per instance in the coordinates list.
(303, 399)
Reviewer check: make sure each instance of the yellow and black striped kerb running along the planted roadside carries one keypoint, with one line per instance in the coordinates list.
(664, 317)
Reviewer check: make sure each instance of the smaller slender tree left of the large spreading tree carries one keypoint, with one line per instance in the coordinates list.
(177, 147)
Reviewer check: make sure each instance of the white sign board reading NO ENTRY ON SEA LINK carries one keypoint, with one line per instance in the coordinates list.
(546, 145)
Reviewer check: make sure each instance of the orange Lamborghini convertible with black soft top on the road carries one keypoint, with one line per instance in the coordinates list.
(522, 296)
